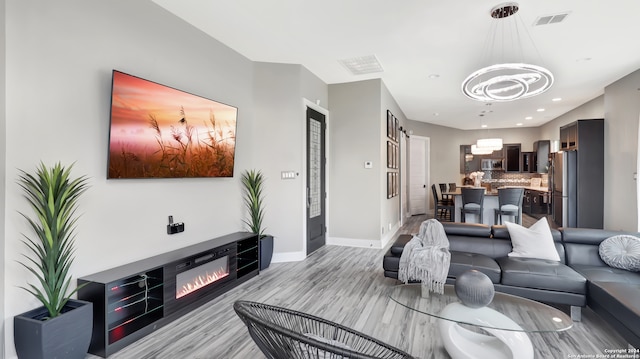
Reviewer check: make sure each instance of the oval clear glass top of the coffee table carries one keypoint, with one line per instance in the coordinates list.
(525, 315)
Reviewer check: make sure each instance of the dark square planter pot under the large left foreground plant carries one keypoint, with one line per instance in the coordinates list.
(66, 336)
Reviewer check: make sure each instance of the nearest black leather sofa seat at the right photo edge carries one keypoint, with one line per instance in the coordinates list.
(620, 300)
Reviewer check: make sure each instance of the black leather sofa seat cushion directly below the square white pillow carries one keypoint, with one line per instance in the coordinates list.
(541, 274)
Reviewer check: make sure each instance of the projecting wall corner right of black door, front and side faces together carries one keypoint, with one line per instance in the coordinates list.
(360, 212)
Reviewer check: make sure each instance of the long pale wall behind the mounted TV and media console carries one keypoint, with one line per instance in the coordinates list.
(59, 58)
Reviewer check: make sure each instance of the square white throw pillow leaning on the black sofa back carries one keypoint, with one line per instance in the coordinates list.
(533, 242)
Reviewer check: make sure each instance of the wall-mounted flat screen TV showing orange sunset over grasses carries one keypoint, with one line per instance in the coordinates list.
(159, 132)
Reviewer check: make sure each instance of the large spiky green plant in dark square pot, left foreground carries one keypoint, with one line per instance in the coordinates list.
(61, 327)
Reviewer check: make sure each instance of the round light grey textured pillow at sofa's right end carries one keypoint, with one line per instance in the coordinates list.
(621, 251)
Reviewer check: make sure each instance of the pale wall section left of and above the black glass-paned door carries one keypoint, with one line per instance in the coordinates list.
(280, 141)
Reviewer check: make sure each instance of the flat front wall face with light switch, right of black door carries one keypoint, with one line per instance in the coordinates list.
(354, 201)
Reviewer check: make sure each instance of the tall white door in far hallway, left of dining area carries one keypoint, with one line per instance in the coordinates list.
(418, 174)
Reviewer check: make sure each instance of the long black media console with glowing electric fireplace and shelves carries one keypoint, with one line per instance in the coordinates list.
(135, 299)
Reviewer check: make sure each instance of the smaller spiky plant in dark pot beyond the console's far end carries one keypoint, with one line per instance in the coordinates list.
(253, 182)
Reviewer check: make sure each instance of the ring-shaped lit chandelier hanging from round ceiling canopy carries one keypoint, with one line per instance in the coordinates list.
(507, 81)
